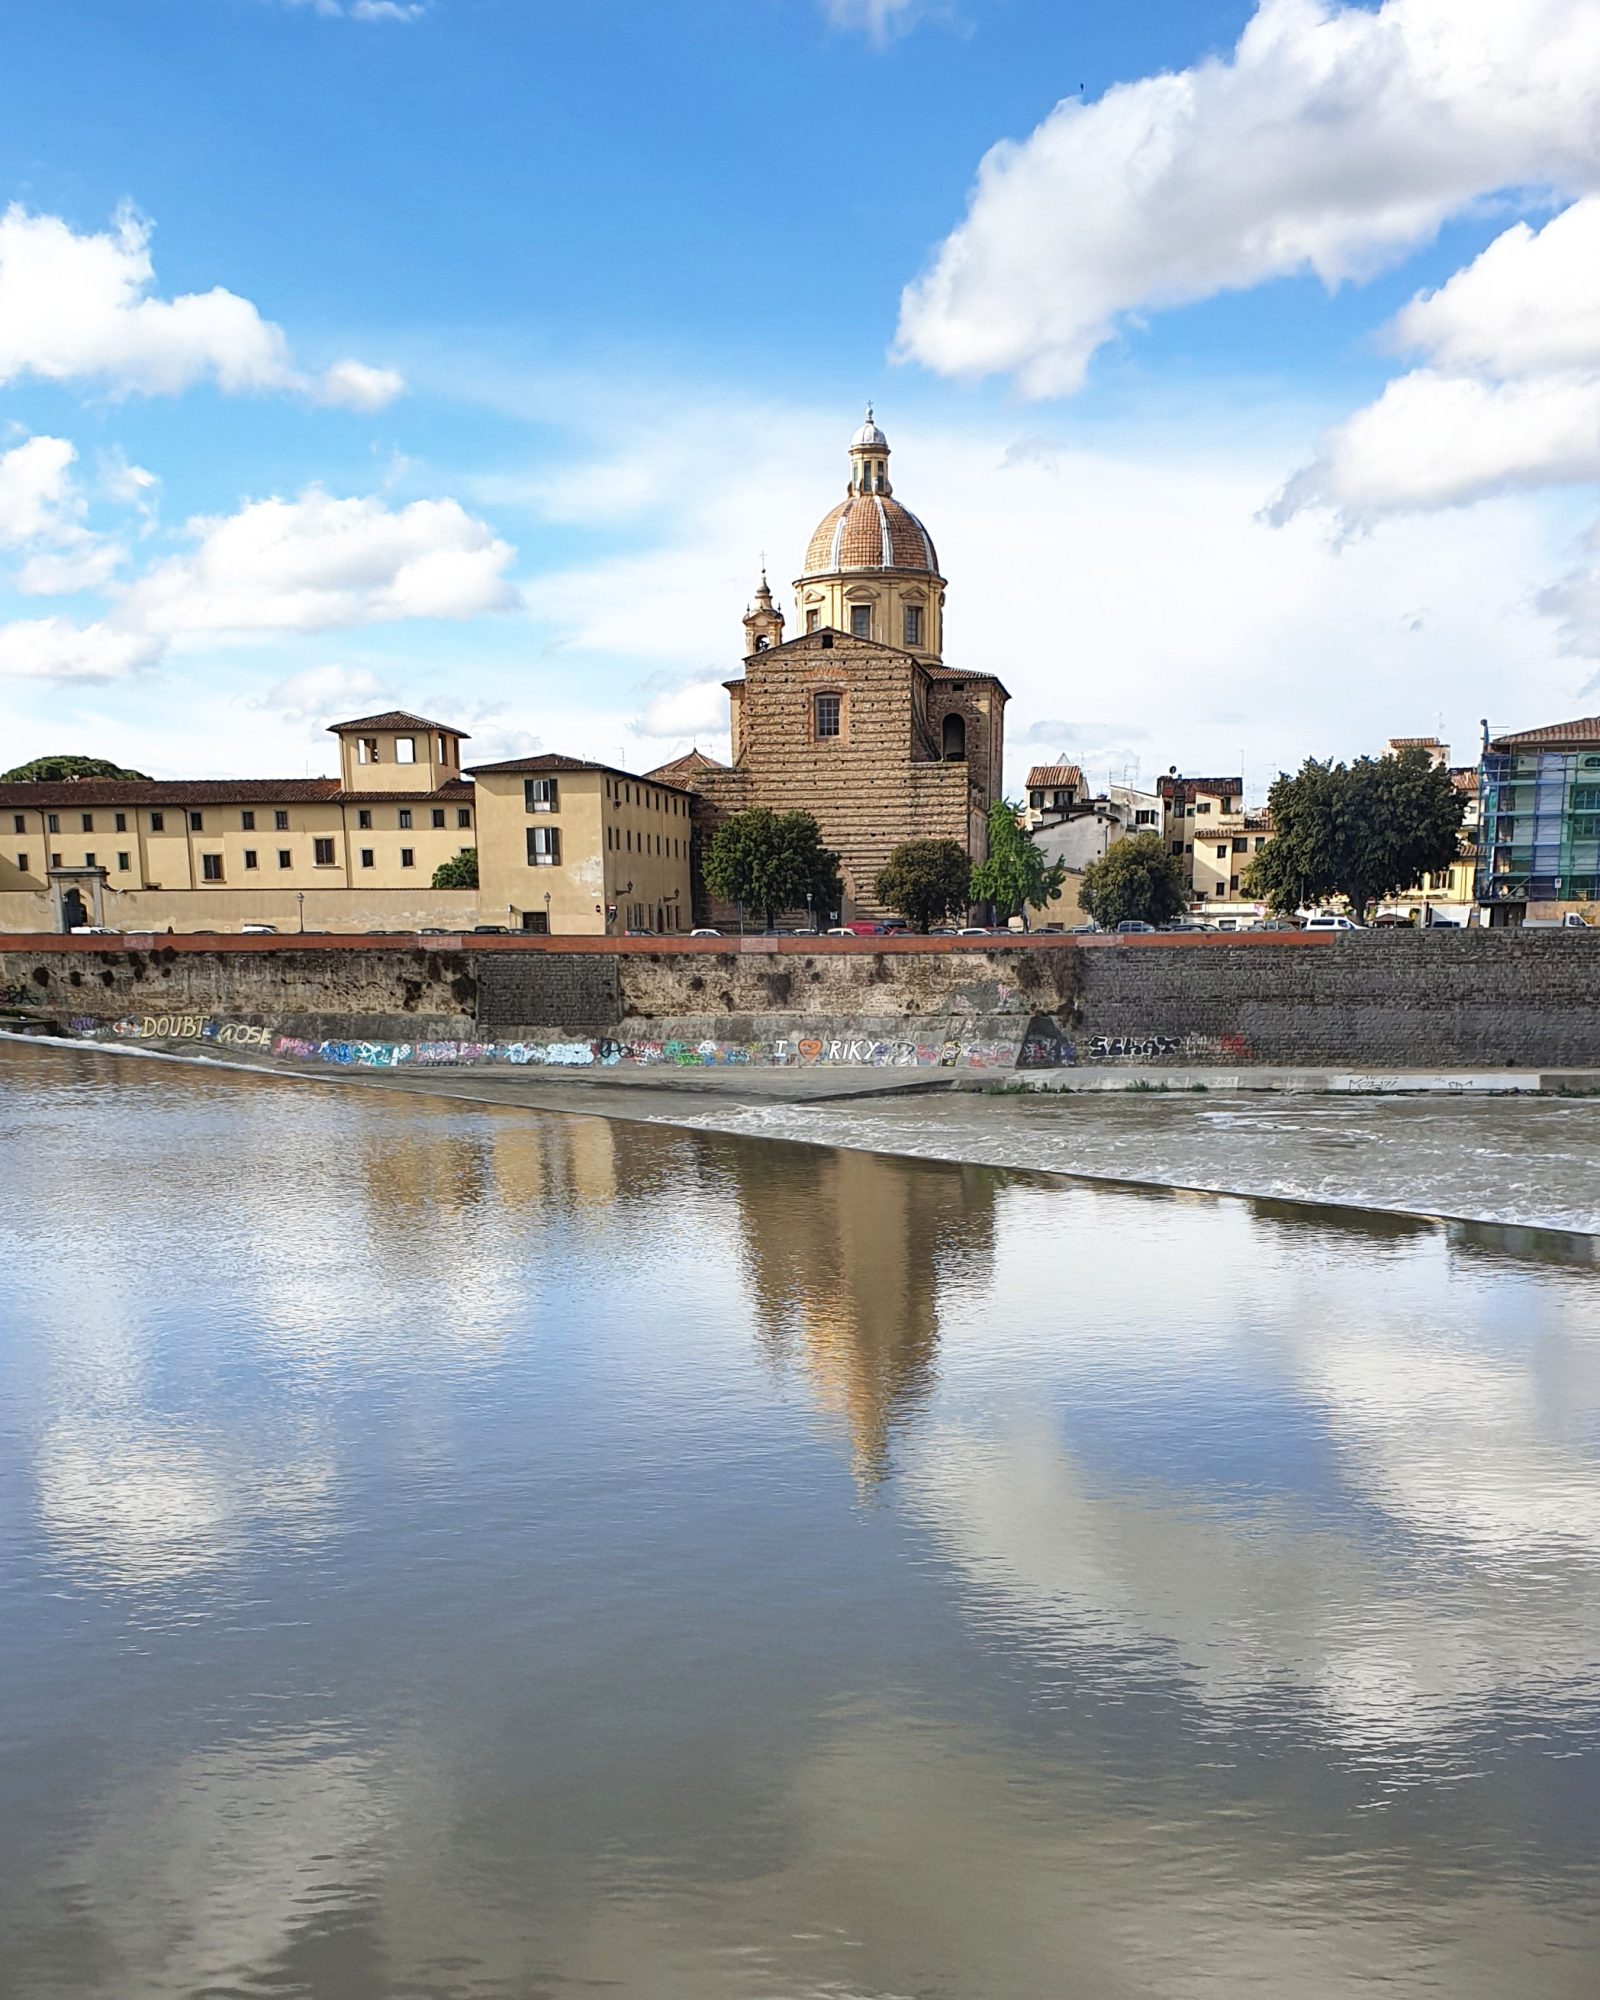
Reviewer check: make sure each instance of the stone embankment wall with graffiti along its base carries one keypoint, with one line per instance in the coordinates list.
(1375, 1001)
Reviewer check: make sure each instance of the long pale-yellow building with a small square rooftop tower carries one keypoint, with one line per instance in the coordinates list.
(351, 853)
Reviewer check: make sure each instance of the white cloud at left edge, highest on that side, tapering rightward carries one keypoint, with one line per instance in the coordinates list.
(83, 309)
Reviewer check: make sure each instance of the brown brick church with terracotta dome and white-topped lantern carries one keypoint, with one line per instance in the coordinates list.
(857, 719)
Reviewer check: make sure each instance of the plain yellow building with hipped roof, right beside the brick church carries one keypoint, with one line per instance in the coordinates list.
(579, 849)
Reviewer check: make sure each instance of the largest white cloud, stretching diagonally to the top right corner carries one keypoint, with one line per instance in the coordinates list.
(1333, 141)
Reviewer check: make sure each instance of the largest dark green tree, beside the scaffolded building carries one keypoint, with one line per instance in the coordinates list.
(1363, 831)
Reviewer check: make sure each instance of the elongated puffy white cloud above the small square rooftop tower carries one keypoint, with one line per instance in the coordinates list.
(321, 563)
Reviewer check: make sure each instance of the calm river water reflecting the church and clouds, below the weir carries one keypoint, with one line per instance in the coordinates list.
(453, 1551)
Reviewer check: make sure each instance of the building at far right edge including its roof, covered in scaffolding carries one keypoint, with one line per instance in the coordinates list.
(1539, 823)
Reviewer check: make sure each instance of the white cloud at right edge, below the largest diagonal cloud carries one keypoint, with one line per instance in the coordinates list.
(1509, 393)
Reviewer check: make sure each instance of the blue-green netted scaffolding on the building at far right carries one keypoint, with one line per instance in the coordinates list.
(1541, 827)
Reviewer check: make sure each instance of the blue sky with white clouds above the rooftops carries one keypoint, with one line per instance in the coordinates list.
(473, 355)
